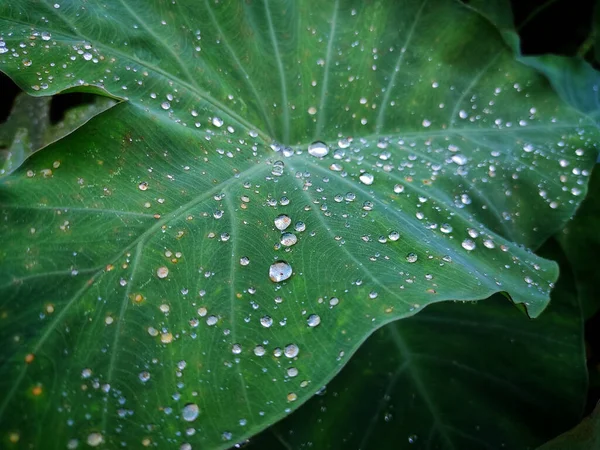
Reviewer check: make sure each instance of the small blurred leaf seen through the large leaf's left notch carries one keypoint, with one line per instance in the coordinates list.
(28, 128)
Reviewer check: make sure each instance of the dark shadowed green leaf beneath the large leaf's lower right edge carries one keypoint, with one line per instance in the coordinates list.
(462, 376)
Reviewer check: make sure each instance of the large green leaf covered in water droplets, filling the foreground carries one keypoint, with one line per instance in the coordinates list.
(135, 276)
